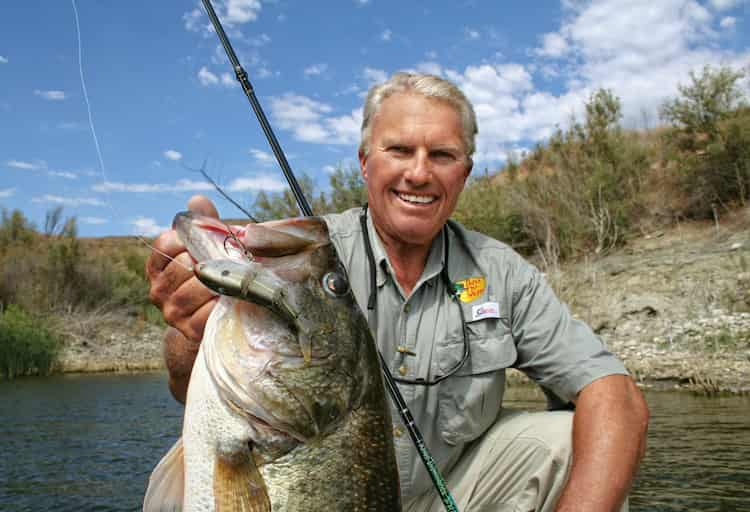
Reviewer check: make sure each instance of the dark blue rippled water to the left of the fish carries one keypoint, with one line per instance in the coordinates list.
(83, 442)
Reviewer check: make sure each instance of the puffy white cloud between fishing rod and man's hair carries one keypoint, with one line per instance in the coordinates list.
(310, 120)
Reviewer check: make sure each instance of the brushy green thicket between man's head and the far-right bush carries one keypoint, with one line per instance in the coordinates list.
(580, 193)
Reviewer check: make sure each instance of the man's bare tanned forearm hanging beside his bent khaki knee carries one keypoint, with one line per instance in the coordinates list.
(609, 440)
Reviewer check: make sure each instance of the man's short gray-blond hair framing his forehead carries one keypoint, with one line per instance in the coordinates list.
(429, 86)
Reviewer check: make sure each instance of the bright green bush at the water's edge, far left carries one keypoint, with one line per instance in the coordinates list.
(26, 344)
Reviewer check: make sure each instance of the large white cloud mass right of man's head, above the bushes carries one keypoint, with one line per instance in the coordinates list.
(639, 49)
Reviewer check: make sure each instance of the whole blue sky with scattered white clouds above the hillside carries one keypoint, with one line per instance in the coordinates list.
(163, 100)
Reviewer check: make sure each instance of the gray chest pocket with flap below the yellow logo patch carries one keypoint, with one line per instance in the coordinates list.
(470, 399)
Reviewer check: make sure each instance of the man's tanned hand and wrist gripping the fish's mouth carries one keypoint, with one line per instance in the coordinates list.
(182, 299)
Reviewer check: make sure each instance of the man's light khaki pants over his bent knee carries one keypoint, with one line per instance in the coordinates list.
(520, 465)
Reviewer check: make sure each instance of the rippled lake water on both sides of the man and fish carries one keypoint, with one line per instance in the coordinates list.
(89, 442)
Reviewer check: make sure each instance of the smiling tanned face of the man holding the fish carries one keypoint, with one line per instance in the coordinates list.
(415, 169)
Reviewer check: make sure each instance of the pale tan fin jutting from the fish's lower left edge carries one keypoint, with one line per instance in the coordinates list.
(166, 486)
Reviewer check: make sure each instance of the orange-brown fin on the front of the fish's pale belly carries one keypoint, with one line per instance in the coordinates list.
(239, 486)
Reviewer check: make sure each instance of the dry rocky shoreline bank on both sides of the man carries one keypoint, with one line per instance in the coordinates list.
(673, 304)
